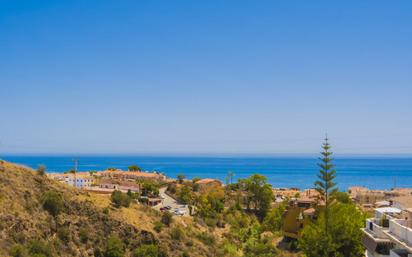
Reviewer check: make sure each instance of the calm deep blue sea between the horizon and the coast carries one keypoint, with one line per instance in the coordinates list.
(376, 172)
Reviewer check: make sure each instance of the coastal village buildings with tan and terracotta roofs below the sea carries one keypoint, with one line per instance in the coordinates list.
(388, 231)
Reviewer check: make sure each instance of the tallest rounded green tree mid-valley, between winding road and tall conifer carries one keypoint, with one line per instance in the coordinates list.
(259, 192)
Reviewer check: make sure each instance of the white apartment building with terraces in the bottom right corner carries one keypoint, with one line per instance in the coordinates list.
(389, 233)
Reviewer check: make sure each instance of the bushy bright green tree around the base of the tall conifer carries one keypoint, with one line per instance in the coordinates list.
(344, 233)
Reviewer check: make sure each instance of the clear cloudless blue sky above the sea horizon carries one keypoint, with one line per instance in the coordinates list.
(205, 76)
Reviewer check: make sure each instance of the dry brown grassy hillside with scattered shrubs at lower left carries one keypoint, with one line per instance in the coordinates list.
(87, 225)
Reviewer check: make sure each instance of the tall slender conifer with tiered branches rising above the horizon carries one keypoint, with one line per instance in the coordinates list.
(326, 185)
